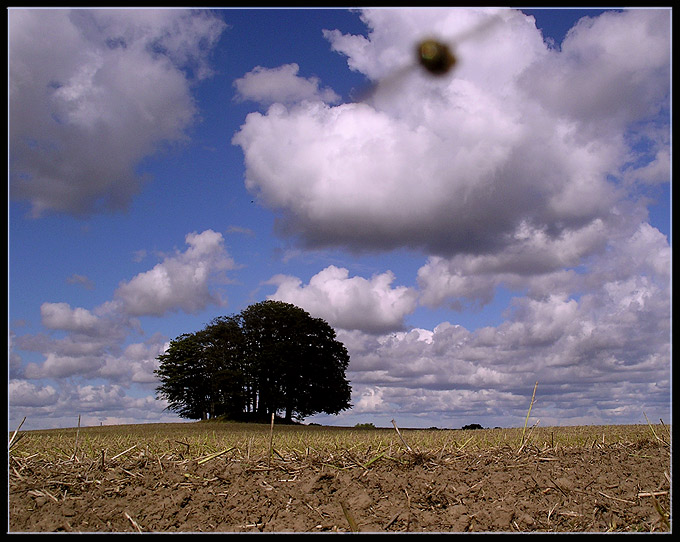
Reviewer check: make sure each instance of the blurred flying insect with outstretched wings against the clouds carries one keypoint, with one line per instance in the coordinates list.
(437, 57)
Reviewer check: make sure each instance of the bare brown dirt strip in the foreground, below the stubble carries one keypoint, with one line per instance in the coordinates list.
(618, 487)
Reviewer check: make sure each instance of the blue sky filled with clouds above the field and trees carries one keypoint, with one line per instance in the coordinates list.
(467, 235)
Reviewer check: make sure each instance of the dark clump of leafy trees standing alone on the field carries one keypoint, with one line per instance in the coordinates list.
(271, 358)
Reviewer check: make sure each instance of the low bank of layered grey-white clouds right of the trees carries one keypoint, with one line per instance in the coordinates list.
(617, 337)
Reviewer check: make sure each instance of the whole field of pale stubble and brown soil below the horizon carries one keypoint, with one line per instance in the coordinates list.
(228, 477)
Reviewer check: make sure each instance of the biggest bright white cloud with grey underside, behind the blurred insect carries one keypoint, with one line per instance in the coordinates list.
(465, 164)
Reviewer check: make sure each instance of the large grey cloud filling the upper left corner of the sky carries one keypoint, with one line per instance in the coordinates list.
(92, 92)
